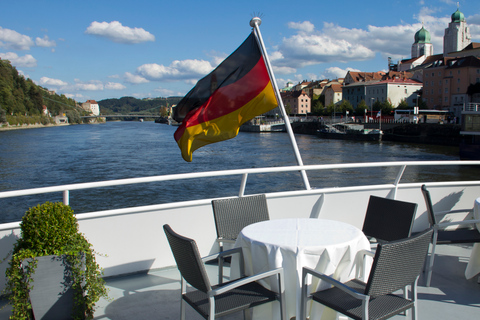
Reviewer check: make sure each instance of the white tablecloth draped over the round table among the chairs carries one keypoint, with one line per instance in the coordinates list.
(324, 245)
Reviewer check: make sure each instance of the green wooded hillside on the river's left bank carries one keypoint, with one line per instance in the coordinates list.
(22, 101)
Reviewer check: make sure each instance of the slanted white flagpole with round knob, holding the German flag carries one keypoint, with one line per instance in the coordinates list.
(255, 23)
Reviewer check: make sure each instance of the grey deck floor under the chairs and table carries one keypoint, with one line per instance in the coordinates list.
(155, 295)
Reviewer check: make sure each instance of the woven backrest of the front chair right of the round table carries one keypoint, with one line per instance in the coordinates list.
(398, 263)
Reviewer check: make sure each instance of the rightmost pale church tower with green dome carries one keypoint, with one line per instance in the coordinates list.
(457, 36)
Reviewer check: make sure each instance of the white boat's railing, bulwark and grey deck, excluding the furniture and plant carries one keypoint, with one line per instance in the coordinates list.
(140, 269)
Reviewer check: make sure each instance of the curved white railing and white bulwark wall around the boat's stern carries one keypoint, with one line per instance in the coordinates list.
(131, 239)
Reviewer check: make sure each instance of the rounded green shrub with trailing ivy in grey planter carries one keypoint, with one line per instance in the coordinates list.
(50, 233)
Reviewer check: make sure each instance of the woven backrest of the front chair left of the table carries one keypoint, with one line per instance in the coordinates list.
(187, 257)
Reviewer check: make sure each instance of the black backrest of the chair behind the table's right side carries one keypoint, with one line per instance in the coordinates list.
(388, 219)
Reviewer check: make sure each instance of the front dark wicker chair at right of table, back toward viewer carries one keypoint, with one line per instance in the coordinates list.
(396, 265)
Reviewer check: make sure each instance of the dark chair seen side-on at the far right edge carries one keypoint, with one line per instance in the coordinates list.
(467, 233)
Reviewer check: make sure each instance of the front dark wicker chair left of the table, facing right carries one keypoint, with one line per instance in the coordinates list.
(212, 301)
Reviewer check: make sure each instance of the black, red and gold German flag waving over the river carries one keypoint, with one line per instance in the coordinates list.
(238, 90)
